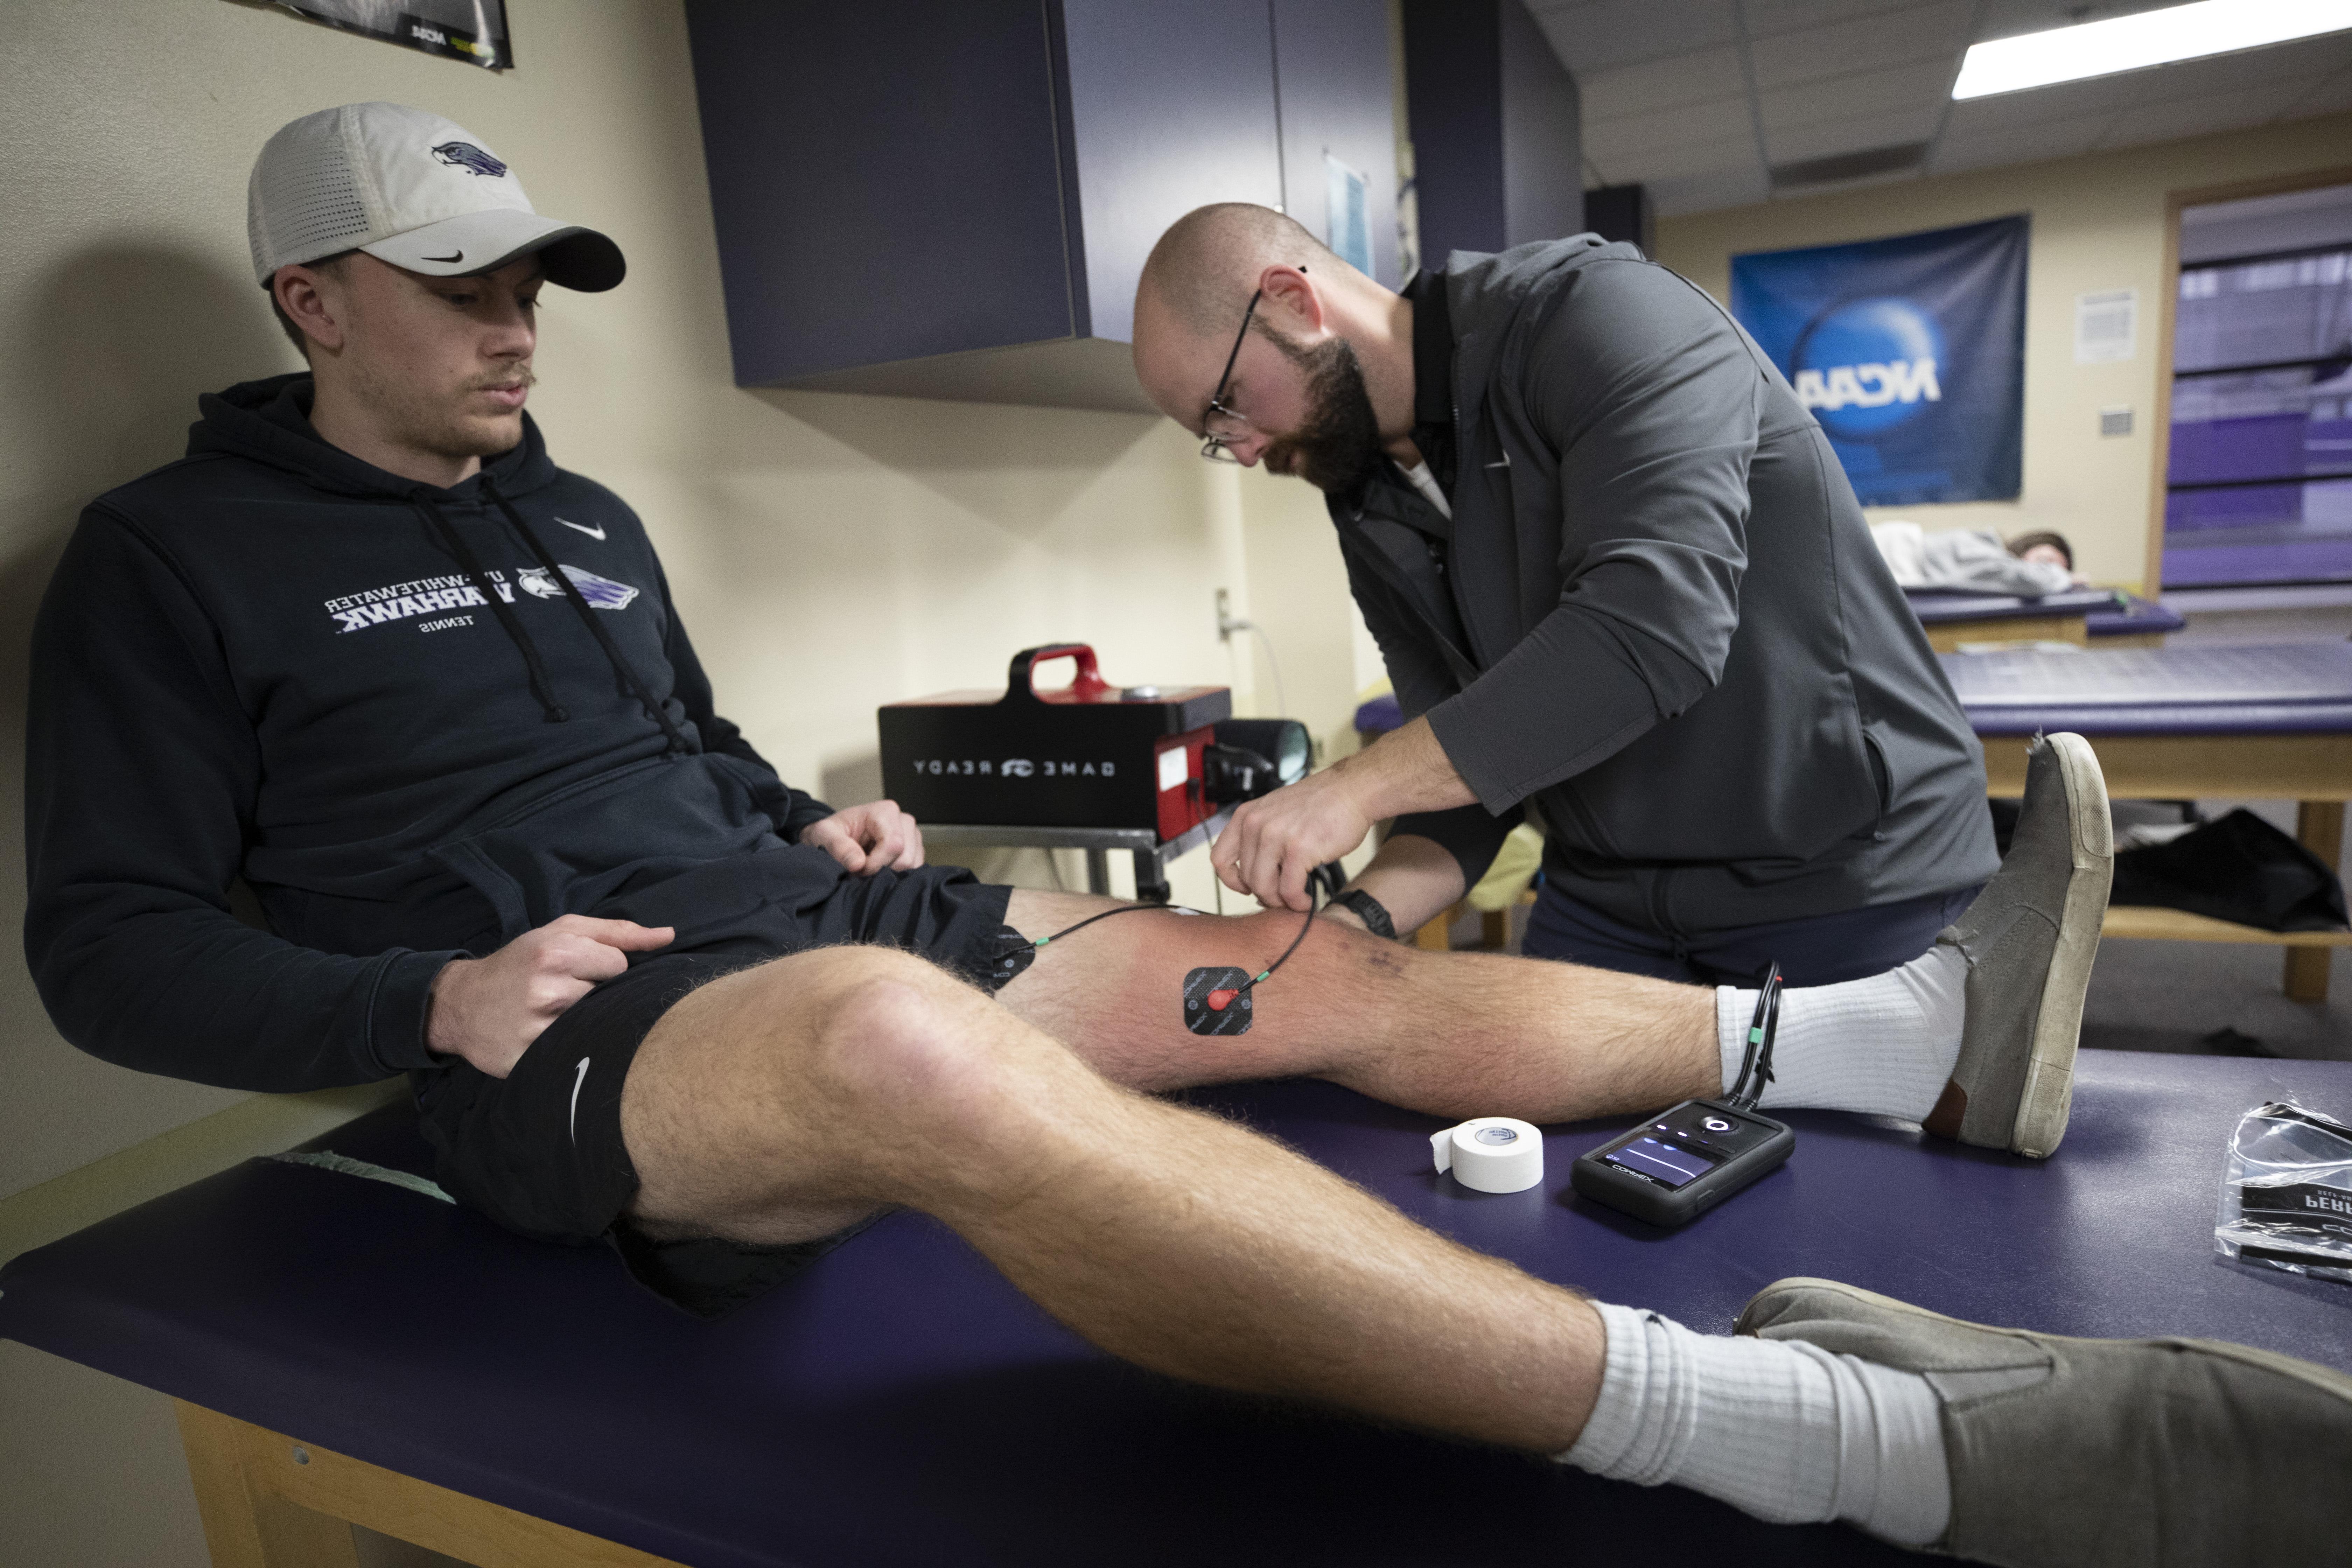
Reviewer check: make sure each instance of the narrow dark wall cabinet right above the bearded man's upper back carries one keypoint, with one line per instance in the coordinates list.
(1495, 123)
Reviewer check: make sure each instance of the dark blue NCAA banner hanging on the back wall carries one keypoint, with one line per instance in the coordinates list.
(1909, 351)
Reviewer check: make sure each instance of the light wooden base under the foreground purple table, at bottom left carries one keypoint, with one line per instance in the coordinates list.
(276, 1503)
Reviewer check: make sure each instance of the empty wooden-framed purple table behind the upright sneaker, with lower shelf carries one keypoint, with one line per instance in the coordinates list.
(2269, 723)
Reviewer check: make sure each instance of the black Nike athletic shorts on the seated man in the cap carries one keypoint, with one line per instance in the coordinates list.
(540, 1151)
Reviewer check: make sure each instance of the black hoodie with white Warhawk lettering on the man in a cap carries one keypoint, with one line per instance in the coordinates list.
(415, 721)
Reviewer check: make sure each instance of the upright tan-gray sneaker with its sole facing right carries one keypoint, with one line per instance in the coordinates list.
(2031, 939)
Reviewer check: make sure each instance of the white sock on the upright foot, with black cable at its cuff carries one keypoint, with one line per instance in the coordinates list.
(1883, 1047)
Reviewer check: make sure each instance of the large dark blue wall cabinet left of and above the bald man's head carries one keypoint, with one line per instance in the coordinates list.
(954, 199)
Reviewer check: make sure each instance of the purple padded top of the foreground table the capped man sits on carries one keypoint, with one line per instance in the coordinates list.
(902, 1405)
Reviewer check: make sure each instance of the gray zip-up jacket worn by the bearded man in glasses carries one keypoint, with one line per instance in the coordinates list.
(1657, 617)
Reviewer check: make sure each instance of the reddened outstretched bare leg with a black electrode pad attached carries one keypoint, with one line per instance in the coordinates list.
(1450, 1033)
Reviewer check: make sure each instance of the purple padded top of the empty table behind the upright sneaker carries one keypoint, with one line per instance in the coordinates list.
(2139, 678)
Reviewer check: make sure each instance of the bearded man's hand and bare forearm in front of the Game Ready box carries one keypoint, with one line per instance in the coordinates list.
(1281, 838)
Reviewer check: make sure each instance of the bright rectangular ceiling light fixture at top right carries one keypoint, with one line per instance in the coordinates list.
(2149, 39)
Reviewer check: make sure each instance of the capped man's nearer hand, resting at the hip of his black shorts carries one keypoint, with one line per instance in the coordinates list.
(493, 1010)
